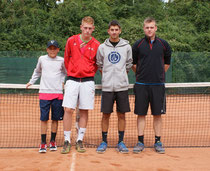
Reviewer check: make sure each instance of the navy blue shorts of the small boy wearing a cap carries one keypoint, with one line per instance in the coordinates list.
(57, 110)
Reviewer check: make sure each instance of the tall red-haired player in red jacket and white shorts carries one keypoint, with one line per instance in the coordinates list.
(80, 63)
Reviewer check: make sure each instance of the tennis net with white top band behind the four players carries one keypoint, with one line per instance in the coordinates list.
(186, 123)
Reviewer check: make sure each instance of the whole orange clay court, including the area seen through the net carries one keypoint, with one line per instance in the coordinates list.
(186, 124)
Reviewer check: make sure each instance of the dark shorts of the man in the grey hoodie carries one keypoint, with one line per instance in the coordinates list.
(108, 99)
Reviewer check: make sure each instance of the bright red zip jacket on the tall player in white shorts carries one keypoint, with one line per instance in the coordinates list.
(80, 65)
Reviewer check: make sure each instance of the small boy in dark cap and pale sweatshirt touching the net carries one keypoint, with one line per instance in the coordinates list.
(52, 71)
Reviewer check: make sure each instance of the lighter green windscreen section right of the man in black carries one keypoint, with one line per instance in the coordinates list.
(191, 67)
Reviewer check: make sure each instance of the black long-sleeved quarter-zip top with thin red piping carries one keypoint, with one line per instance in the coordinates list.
(150, 60)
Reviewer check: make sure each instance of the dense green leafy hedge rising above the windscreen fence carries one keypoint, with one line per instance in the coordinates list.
(29, 24)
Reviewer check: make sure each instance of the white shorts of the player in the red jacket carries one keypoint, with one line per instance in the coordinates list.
(82, 93)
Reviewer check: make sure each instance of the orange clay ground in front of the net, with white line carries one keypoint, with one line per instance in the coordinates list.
(175, 159)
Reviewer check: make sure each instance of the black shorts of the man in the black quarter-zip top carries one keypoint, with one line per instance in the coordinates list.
(149, 94)
